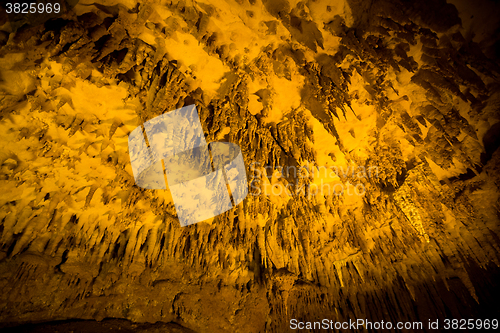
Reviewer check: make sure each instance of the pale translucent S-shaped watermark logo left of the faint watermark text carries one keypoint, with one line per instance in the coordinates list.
(204, 180)
